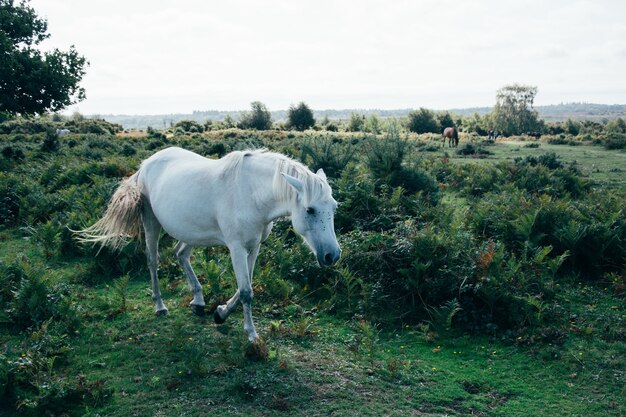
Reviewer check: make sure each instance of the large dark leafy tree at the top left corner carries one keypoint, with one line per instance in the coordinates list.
(31, 81)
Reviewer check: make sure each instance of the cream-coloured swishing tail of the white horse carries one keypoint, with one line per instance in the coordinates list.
(122, 220)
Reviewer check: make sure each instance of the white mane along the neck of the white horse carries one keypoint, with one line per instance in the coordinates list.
(314, 187)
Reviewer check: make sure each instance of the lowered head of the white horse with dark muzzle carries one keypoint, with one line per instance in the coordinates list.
(312, 216)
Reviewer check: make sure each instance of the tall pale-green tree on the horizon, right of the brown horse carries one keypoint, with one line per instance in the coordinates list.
(513, 113)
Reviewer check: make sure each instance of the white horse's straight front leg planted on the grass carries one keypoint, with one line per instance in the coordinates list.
(240, 256)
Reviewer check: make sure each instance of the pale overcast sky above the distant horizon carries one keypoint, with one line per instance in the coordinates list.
(149, 57)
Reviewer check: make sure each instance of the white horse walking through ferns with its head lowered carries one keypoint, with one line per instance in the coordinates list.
(231, 202)
